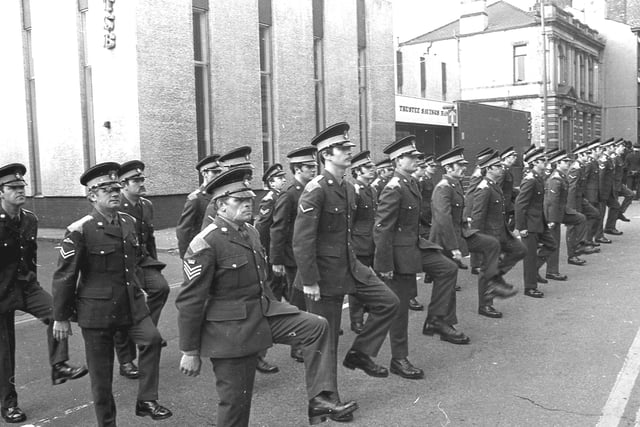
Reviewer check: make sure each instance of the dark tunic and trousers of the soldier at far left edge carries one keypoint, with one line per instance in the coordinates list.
(20, 290)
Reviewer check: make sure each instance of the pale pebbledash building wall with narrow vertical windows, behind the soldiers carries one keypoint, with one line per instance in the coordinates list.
(69, 102)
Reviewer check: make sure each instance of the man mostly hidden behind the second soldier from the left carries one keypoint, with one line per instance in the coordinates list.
(154, 284)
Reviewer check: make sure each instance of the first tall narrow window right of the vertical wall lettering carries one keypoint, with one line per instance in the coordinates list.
(201, 68)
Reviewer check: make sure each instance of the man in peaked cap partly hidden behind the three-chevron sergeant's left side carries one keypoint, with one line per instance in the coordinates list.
(193, 213)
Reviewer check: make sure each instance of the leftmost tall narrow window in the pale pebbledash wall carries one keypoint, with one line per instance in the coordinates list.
(30, 86)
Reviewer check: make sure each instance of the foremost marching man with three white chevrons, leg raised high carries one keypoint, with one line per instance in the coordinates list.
(226, 313)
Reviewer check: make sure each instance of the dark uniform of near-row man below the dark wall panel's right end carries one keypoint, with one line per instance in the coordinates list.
(529, 214)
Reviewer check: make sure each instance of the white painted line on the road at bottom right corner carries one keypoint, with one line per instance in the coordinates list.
(614, 408)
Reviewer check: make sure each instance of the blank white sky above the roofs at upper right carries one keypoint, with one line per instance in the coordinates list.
(416, 17)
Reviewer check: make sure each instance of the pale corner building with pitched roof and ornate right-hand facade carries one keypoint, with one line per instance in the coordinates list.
(496, 52)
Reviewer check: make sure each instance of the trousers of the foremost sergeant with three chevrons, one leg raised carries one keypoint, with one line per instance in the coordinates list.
(235, 376)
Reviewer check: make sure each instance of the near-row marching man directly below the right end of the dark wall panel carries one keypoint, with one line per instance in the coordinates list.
(530, 221)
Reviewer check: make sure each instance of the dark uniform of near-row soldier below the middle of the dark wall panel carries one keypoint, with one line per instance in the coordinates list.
(489, 216)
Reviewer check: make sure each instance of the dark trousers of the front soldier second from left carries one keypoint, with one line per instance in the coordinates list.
(99, 352)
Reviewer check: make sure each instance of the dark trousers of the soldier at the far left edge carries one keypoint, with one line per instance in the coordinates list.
(39, 304)
